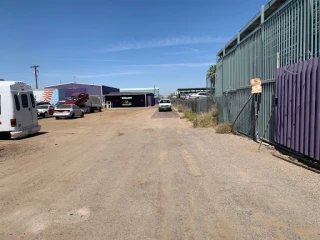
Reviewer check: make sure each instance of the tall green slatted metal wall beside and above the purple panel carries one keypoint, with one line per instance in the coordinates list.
(293, 32)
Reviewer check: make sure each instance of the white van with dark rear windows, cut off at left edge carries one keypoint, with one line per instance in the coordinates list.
(18, 110)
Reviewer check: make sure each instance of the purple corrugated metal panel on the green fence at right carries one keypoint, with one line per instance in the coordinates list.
(297, 113)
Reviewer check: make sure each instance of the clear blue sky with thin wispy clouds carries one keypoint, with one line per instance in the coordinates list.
(119, 43)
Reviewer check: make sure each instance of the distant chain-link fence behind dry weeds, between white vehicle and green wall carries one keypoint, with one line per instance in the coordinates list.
(196, 106)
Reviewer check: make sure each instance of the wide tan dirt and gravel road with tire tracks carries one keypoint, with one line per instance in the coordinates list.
(123, 174)
